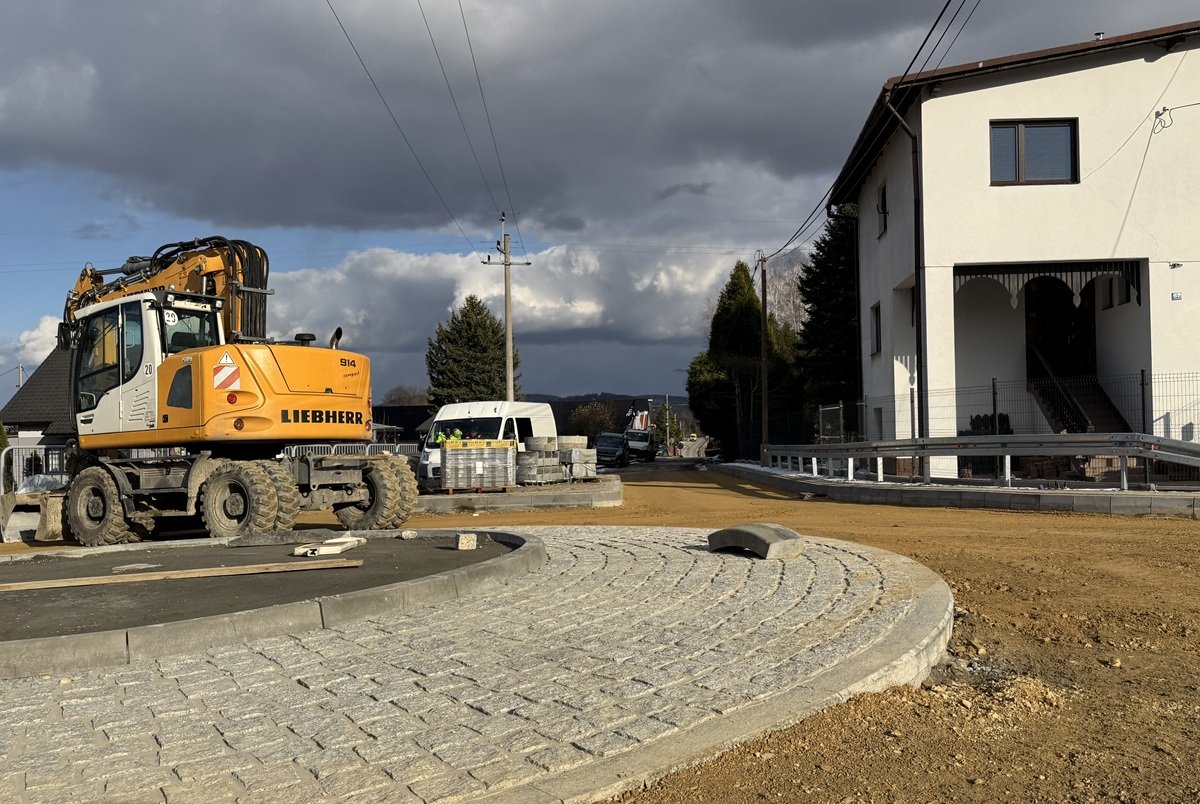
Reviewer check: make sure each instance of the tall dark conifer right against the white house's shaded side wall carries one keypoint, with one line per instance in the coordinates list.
(830, 351)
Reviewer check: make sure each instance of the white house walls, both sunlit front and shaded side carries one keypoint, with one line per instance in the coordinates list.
(1136, 200)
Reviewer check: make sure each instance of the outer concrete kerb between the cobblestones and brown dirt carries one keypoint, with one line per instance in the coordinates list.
(904, 656)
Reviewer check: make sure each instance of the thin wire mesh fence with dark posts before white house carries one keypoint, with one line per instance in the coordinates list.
(1161, 405)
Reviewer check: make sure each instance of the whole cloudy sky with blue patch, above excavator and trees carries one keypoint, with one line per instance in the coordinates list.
(644, 147)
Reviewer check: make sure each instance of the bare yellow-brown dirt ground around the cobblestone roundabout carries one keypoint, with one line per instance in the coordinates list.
(1072, 675)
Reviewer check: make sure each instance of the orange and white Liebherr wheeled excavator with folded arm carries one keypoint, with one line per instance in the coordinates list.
(183, 406)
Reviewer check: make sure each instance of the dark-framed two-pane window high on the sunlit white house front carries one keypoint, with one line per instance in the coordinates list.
(1035, 152)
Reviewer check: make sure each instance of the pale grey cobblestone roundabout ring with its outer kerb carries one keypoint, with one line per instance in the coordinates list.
(633, 651)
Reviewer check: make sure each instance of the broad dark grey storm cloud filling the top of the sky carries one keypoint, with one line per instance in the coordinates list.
(260, 115)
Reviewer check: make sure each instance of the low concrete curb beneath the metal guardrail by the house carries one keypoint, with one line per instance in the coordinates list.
(1118, 503)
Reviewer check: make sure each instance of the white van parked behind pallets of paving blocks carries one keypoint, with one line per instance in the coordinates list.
(489, 421)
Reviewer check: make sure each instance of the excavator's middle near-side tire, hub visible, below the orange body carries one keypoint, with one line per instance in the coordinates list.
(238, 500)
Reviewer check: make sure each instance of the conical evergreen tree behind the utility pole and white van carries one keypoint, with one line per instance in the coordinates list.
(466, 357)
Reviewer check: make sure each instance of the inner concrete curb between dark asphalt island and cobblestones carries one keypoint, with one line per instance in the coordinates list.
(75, 652)
